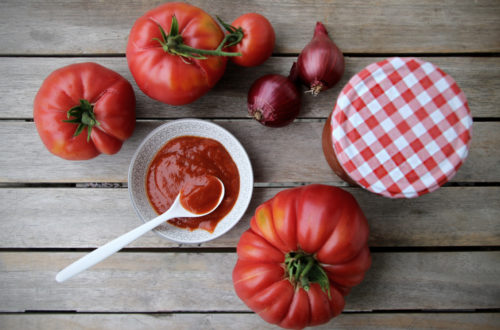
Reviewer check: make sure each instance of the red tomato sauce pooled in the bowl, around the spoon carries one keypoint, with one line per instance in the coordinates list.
(181, 162)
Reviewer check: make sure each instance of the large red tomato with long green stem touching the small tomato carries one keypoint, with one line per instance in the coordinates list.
(161, 58)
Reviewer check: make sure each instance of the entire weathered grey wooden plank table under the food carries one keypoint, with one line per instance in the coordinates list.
(436, 259)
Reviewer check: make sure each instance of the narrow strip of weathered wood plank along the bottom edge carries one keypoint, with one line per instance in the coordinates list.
(363, 321)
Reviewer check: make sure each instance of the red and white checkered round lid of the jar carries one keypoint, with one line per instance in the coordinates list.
(401, 127)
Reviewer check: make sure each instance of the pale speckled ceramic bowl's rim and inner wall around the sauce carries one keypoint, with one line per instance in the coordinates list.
(148, 149)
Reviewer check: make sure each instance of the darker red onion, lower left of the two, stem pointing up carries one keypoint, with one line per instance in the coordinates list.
(274, 100)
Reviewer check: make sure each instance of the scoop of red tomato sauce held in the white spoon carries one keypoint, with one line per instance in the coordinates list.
(200, 194)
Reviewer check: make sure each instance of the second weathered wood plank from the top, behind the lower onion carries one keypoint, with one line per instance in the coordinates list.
(21, 77)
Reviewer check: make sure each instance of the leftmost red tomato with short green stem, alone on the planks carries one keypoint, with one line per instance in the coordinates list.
(85, 109)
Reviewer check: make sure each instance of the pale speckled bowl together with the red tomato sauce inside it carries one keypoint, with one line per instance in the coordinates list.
(182, 153)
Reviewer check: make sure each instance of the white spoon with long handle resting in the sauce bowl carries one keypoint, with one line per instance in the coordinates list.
(175, 211)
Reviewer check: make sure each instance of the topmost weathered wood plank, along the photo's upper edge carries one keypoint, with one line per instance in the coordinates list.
(83, 27)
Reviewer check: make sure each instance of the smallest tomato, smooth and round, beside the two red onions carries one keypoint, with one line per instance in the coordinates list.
(253, 36)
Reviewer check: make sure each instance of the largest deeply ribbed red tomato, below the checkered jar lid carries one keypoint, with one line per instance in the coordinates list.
(305, 249)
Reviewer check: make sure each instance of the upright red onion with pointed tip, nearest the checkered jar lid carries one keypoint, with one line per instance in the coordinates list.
(321, 63)
